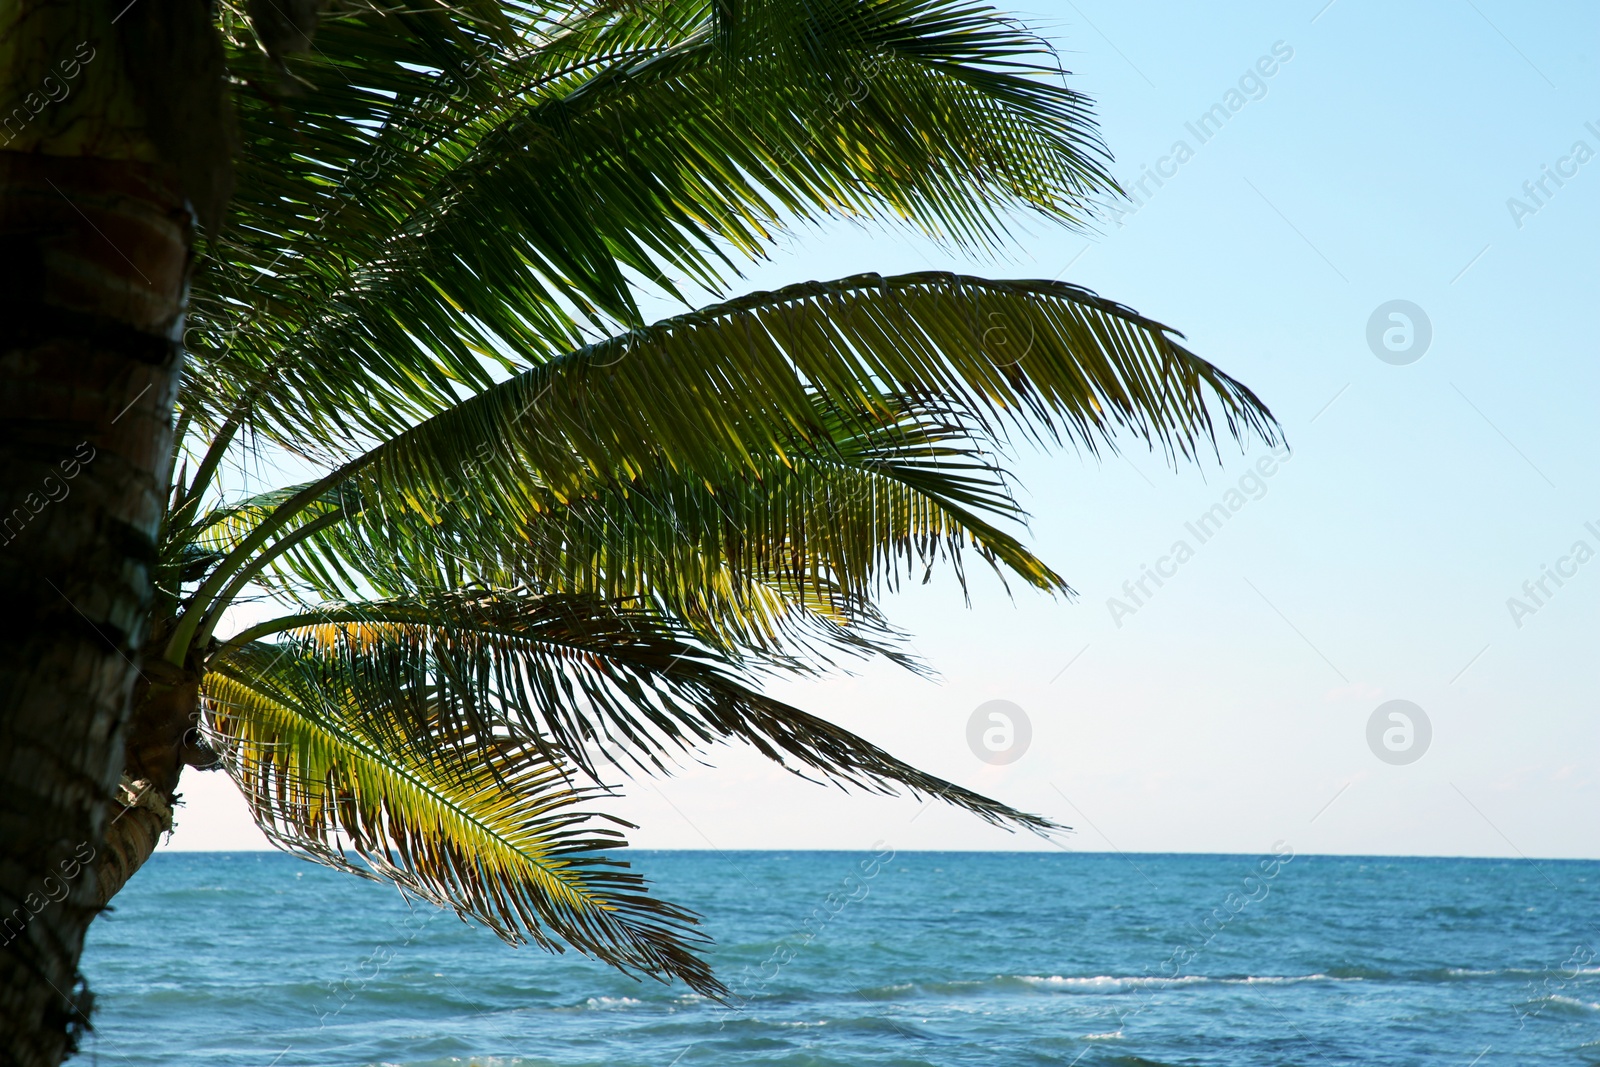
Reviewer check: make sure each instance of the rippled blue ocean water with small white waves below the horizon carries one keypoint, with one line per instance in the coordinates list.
(908, 961)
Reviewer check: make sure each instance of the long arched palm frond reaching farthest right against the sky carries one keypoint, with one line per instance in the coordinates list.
(746, 380)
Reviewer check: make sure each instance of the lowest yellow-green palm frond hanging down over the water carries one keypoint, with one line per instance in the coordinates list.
(479, 823)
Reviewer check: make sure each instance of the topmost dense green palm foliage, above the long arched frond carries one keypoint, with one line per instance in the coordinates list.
(639, 140)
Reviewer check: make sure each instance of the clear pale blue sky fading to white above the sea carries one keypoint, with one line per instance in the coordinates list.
(1233, 706)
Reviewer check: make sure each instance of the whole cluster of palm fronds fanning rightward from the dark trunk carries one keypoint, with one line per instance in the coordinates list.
(540, 540)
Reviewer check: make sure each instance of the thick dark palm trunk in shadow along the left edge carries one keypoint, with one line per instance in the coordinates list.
(95, 242)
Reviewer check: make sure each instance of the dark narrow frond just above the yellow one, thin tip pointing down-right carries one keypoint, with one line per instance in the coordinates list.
(585, 677)
